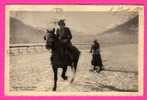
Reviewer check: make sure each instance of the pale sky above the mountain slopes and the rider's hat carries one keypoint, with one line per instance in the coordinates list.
(83, 22)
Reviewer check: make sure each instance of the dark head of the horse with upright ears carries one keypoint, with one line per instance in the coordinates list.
(50, 38)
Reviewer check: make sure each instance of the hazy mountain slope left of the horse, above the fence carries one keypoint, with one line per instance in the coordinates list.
(22, 33)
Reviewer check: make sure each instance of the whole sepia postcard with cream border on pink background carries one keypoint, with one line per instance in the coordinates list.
(77, 50)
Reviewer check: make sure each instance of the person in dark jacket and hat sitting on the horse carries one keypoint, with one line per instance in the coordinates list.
(65, 36)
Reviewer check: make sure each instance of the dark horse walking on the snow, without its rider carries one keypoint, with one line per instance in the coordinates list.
(59, 59)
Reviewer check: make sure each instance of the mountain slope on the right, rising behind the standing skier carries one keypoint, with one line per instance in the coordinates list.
(125, 33)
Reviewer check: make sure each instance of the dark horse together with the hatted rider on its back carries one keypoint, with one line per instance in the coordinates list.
(63, 53)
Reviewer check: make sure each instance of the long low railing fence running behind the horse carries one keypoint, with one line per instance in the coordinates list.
(18, 49)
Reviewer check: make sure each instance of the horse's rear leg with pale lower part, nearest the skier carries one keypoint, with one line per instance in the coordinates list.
(75, 62)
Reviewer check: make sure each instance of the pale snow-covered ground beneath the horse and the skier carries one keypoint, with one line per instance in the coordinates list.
(32, 72)
